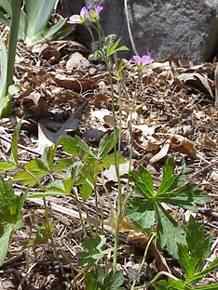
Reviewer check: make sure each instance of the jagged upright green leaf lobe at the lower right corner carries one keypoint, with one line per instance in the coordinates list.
(192, 256)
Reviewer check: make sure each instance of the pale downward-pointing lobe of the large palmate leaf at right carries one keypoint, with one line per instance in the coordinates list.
(170, 234)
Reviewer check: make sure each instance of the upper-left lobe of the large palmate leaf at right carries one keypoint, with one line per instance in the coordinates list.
(143, 182)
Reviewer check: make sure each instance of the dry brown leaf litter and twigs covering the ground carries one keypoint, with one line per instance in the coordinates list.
(59, 95)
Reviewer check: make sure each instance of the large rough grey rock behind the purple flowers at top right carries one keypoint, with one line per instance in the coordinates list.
(165, 28)
